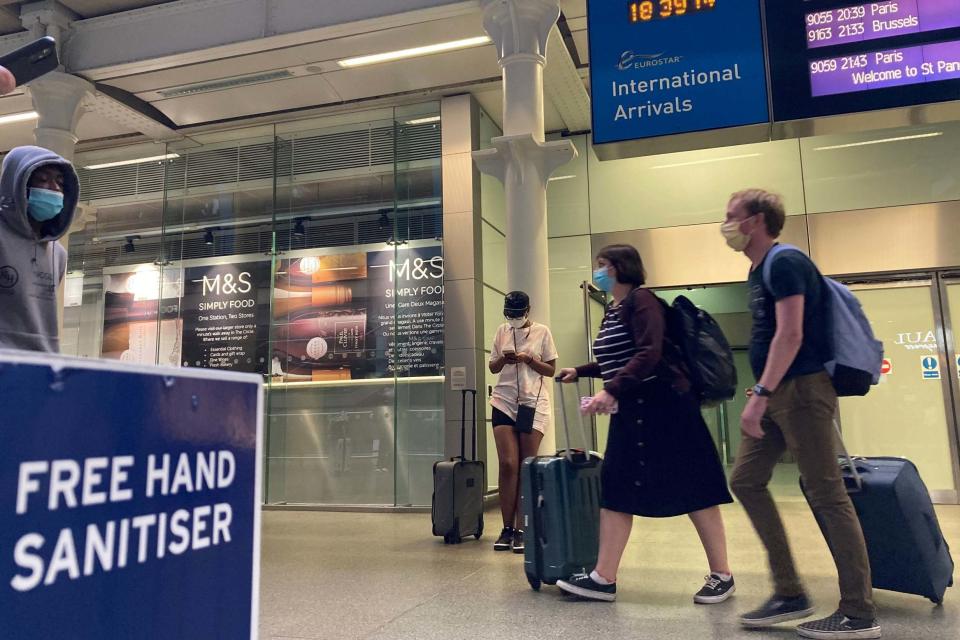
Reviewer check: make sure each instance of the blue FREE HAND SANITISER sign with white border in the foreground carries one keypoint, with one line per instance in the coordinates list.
(130, 501)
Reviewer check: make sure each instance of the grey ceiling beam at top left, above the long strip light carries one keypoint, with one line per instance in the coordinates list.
(191, 31)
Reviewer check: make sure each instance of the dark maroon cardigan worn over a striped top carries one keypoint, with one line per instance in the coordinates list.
(644, 316)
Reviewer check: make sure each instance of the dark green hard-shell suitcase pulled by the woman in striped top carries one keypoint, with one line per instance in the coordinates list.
(561, 512)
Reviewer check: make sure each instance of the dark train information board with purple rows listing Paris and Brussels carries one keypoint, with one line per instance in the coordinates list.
(840, 57)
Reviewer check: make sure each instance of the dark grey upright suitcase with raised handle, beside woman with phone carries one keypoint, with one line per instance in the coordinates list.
(458, 487)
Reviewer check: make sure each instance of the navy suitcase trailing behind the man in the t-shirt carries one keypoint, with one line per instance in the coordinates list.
(907, 550)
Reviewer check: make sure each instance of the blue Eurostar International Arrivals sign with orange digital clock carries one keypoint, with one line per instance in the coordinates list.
(675, 66)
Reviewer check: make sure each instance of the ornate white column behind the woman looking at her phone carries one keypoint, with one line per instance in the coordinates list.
(520, 158)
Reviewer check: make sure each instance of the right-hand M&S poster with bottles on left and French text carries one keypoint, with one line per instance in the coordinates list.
(359, 315)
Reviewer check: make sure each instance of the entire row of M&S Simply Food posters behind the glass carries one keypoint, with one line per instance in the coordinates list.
(343, 316)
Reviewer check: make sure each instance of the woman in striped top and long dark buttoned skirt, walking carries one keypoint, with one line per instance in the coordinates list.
(660, 459)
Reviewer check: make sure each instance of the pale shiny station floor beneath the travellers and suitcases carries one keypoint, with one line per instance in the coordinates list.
(336, 576)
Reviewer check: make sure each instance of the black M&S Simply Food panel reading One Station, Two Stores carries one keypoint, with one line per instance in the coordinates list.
(226, 316)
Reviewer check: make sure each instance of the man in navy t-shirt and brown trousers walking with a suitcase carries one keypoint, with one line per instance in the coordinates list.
(792, 408)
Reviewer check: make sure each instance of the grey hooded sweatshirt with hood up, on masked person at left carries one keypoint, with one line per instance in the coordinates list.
(32, 263)
